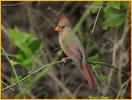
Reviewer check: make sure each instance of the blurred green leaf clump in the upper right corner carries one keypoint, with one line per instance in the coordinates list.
(114, 14)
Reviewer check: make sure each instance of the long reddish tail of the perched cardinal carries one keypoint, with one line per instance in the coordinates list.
(88, 74)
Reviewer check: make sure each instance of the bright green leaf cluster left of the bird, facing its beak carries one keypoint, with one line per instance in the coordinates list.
(28, 45)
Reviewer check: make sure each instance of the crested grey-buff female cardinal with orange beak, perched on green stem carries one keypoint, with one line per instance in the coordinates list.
(73, 48)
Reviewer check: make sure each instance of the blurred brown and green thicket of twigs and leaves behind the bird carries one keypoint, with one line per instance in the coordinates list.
(29, 42)
